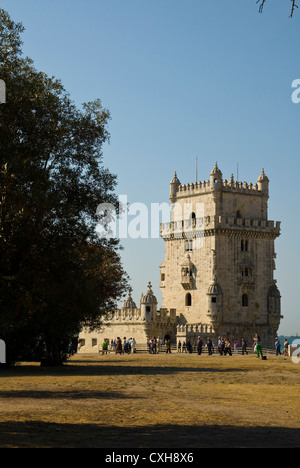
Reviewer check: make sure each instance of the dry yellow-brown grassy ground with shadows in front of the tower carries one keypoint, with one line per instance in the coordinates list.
(152, 401)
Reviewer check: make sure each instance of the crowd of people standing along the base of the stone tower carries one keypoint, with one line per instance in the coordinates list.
(223, 347)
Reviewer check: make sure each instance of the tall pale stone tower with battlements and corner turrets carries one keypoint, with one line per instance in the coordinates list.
(218, 271)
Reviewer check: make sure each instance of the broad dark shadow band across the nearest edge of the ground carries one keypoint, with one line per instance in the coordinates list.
(36, 434)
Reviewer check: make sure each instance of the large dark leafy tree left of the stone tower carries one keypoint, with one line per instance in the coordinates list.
(55, 272)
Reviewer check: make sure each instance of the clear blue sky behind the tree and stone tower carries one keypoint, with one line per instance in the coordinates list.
(182, 80)
